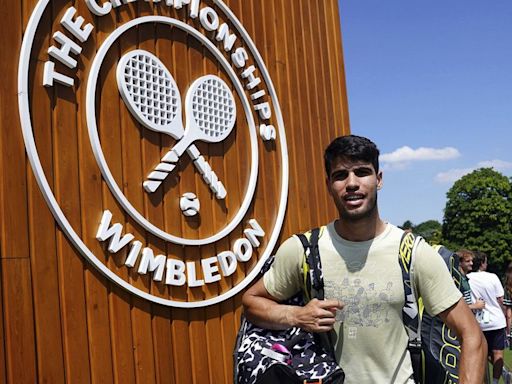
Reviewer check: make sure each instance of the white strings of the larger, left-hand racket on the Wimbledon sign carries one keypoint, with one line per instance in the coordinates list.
(151, 89)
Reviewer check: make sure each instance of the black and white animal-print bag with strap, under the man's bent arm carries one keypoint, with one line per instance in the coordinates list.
(292, 355)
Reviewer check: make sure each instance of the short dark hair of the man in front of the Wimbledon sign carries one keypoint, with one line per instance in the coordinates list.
(354, 148)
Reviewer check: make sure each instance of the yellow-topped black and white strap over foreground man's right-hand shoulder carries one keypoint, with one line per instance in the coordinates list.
(410, 315)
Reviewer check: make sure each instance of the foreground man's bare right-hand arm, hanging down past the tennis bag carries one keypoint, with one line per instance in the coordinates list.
(473, 345)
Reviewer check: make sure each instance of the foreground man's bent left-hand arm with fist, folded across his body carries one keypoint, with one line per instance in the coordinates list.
(265, 311)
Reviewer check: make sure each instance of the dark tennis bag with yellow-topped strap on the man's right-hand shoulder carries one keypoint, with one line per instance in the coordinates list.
(434, 348)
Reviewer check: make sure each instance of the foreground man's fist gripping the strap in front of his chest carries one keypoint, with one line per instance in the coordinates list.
(317, 315)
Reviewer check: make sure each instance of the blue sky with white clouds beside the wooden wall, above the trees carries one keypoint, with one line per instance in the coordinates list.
(431, 83)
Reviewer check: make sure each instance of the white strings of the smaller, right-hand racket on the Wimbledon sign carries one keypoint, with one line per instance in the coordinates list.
(213, 108)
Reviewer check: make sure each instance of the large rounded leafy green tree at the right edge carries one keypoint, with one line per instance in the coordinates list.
(478, 215)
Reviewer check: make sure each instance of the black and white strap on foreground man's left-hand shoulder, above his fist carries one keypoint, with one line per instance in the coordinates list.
(312, 266)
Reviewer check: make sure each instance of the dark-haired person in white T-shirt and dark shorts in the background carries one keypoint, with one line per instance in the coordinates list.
(492, 318)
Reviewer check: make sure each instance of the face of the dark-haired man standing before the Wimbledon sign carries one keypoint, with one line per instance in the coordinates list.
(353, 187)
